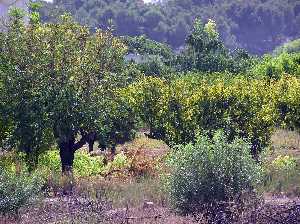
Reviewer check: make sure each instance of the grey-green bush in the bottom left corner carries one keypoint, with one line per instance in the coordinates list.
(17, 189)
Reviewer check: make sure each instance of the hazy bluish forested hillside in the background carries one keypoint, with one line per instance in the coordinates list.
(257, 25)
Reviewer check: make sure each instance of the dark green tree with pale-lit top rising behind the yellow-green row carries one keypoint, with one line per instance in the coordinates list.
(207, 53)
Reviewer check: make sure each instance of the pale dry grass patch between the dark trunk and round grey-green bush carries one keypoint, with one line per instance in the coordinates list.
(121, 193)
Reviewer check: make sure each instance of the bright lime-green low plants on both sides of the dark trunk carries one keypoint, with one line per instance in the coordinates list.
(84, 164)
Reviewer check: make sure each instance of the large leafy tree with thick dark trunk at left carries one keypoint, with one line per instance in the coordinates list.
(61, 86)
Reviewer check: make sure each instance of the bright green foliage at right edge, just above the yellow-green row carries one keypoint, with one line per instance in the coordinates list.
(275, 67)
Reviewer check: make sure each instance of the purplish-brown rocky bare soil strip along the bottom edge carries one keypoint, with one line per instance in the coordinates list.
(72, 209)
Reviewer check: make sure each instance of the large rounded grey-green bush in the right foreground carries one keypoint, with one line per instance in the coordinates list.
(209, 171)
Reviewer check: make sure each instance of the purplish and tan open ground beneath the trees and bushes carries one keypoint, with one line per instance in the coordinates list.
(139, 203)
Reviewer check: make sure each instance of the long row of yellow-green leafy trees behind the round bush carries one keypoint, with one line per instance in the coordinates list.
(248, 108)
